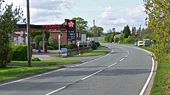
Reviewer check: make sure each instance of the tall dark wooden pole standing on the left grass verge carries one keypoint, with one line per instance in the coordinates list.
(28, 35)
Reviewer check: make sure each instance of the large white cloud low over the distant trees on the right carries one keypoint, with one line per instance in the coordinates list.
(132, 17)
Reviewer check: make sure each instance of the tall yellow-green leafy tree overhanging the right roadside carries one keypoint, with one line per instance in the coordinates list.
(158, 21)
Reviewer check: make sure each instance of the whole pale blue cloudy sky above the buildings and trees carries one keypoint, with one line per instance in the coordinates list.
(107, 13)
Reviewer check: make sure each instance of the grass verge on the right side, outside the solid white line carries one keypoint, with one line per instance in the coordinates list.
(161, 84)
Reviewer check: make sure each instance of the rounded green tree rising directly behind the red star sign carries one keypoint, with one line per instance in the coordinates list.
(81, 24)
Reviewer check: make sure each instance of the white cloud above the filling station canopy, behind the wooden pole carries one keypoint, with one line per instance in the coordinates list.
(43, 11)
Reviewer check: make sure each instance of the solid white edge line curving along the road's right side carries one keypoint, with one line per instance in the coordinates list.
(149, 78)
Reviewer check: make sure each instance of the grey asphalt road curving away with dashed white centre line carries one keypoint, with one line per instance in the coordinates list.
(122, 72)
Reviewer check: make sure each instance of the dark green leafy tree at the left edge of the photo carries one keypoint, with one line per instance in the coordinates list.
(8, 20)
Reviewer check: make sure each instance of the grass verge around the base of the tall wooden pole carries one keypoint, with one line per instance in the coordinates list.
(19, 69)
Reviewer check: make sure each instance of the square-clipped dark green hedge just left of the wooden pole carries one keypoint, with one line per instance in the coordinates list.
(19, 53)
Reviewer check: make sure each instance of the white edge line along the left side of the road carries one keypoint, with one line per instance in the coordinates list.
(53, 71)
